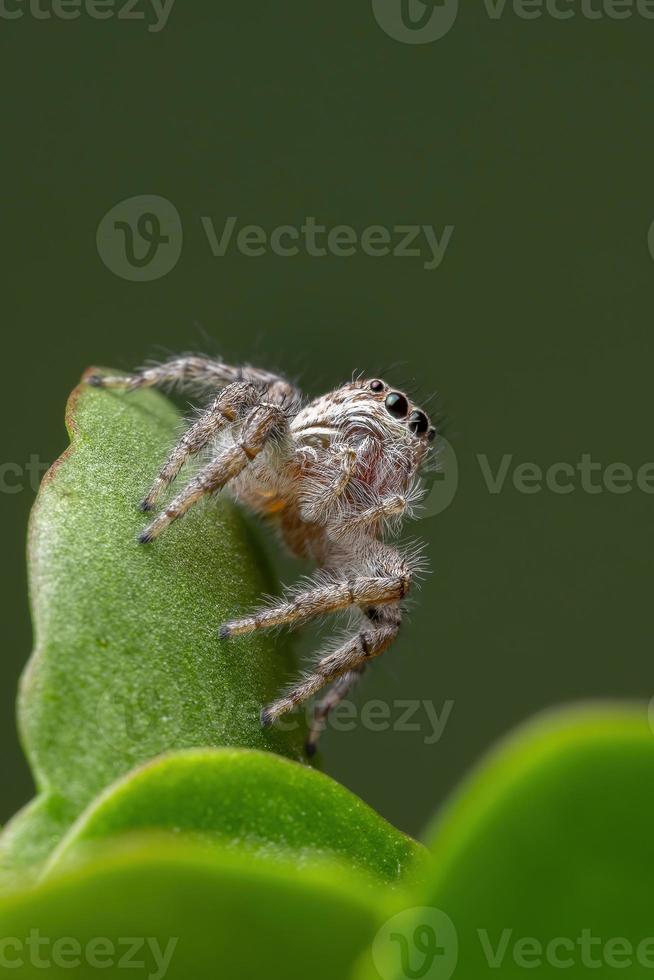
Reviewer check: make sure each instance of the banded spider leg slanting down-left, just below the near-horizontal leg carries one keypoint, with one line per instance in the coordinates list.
(354, 654)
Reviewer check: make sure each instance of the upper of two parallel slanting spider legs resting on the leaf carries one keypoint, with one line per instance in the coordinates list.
(224, 410)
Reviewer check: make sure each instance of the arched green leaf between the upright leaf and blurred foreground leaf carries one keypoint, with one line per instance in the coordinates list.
(253, 800)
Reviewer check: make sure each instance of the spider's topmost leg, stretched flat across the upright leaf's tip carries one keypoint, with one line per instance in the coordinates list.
(193, 371)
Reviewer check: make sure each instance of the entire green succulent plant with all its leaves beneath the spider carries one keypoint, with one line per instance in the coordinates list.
(166, 814)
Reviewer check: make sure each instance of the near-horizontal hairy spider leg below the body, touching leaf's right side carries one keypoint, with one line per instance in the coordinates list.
(336, 595)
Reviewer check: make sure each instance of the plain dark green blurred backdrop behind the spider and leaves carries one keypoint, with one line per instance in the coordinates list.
(532, 138)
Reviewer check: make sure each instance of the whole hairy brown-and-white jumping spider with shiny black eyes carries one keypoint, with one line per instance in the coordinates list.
(337, 475)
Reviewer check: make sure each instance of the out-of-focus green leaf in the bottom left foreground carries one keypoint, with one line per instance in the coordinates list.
(184, 909)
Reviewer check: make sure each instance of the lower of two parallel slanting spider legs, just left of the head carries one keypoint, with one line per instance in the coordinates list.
(262, 421)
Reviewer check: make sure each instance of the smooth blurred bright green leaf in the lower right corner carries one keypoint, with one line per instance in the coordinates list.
(544, 861)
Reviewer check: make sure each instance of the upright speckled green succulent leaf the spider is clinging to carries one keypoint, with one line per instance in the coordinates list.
(127, 663)
